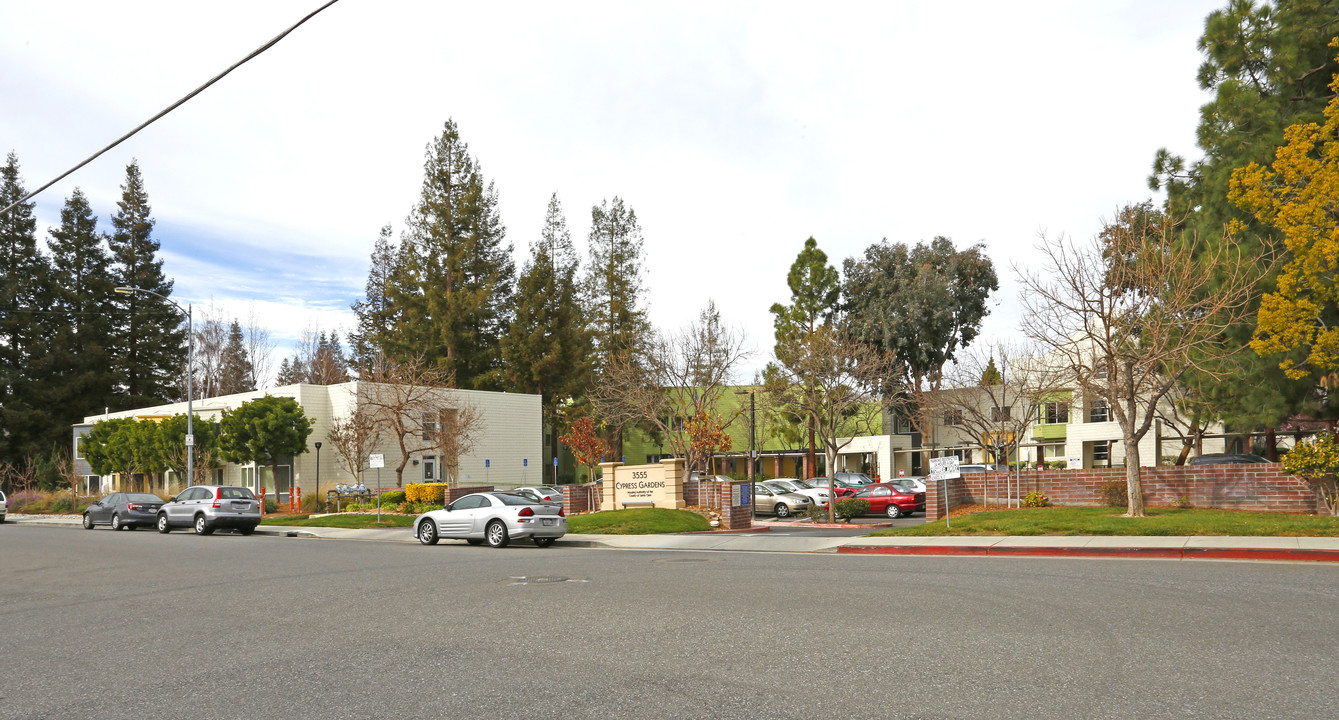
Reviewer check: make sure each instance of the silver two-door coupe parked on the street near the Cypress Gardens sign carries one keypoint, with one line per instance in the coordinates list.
(496, 519)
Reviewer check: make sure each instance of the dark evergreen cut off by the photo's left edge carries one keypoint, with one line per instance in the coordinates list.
(25, 327)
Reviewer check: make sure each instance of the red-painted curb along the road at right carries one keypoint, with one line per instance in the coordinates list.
(1144, 553)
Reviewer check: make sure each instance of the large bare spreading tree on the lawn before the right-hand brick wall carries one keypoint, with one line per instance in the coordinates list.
(1129, 314)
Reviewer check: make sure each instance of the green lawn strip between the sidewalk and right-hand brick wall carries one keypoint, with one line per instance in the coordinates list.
(1109, 521)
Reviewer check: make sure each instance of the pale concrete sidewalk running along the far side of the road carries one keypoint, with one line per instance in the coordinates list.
(1068, 547)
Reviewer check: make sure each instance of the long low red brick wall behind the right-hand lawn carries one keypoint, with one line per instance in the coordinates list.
(1263, 486)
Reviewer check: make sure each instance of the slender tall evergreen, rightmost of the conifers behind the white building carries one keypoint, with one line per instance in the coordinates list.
(614, 290)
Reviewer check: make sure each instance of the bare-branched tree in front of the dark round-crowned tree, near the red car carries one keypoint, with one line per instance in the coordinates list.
(834, 385)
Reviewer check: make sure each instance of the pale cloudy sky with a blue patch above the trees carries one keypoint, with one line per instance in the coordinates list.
(734, 130)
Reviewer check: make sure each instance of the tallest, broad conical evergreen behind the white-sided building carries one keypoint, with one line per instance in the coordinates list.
(453, 288)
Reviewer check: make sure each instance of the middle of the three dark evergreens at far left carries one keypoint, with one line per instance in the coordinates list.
(84, 381)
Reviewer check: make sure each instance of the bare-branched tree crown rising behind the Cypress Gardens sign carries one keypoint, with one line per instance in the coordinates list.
(680, 378)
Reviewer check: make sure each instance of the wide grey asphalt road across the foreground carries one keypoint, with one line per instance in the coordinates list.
(101, 624)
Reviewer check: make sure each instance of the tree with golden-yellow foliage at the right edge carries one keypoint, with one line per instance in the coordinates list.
(1299, 195)
